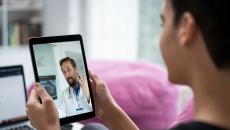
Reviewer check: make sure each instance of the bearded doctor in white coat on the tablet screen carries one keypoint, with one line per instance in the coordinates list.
(75, 98)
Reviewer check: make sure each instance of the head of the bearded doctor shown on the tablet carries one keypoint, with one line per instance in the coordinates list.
(69, 69)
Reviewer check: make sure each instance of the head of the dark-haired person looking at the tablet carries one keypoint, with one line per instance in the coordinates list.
(195, 33)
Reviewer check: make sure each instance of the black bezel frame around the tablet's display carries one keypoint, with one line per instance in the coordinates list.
(59, 39)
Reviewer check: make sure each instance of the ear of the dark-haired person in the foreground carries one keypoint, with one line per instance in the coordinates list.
(186, 29)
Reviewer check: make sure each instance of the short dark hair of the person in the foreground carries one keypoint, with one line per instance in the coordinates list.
(212, 17)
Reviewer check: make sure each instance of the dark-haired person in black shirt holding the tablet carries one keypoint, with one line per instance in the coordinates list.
(196, 49)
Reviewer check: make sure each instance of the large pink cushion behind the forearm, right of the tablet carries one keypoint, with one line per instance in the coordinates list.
(142, 90)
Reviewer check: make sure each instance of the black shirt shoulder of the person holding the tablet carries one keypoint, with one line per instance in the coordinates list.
(197, 126)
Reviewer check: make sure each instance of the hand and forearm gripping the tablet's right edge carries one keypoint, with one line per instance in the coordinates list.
(107, 109)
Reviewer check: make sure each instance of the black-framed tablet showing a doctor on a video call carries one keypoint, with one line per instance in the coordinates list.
(59, 65)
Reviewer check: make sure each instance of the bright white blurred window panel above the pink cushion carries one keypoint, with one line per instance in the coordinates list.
(111, 29)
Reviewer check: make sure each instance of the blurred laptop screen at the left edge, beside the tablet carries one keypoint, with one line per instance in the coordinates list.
(12, 95)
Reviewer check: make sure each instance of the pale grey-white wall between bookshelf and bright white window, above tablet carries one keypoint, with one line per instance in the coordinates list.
(62, 17)
